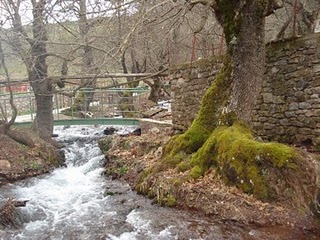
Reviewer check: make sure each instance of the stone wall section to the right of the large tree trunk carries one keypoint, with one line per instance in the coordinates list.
(289, 107)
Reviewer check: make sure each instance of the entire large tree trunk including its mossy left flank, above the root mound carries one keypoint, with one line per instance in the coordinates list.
(239, 82)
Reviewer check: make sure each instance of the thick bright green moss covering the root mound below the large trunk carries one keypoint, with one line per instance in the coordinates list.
(240, 159)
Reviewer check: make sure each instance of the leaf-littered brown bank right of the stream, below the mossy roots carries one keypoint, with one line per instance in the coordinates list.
(129, 157)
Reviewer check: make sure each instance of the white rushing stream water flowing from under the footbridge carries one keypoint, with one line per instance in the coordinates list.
(74, 202)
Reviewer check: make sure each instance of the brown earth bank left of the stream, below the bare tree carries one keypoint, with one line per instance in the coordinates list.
(18, 161)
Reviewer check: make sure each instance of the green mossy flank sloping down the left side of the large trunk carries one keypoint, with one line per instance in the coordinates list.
(208, 118)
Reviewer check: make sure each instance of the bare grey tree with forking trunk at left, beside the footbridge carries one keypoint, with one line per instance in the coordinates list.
(31, 44)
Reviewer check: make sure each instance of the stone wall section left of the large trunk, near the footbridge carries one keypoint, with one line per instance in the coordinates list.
(188, 84)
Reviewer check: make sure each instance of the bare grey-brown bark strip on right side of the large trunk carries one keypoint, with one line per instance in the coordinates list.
(248, 58)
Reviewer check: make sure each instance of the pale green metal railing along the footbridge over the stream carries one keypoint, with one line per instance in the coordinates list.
(104, 103)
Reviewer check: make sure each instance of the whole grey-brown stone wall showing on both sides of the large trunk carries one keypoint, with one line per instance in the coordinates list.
(289, 107)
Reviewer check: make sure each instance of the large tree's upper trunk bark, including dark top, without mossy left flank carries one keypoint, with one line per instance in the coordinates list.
(243, 23)
